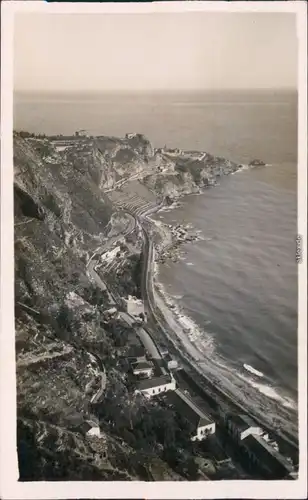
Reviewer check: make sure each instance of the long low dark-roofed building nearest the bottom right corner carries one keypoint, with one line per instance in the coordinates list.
(261, 454)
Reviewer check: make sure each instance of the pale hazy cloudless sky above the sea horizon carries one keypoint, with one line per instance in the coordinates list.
(155, 51)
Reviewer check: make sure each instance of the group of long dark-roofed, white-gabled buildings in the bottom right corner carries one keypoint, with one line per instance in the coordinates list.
(261, 451)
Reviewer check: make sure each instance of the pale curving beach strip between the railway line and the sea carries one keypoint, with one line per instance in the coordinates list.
(262, 398)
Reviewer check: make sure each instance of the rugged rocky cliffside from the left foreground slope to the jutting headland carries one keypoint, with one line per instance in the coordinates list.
(64, 348)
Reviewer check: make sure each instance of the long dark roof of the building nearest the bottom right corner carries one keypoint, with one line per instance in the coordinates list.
(268, 456)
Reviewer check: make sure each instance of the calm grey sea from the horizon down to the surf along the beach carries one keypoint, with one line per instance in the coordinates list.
(238, 284)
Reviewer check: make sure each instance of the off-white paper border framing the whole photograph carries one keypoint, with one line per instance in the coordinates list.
(10, 487)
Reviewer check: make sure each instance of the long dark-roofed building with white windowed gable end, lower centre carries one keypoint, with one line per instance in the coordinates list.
(202, 423)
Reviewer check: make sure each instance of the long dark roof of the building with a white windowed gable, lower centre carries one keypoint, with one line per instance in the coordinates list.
(188, 408)
